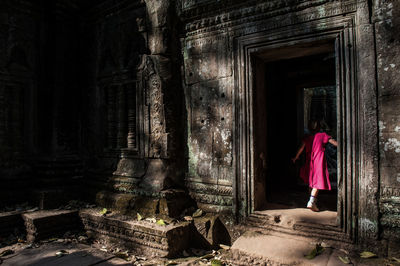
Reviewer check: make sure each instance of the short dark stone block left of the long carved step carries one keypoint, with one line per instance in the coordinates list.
(50, 223)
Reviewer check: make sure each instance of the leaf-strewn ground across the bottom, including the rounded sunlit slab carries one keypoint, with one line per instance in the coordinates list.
(250, 249)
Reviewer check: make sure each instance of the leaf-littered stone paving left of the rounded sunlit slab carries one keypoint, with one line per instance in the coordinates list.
(56, 253)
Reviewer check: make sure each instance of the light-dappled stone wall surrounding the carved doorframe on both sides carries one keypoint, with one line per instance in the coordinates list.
(213, 32)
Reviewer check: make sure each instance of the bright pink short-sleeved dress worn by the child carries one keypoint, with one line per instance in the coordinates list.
(315, 171)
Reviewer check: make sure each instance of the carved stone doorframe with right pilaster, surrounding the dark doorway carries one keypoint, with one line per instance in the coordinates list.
(355, 108)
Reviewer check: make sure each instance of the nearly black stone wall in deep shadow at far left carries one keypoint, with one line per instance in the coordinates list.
(39, 128)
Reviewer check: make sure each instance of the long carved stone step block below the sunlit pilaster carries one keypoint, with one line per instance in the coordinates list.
(141, 236)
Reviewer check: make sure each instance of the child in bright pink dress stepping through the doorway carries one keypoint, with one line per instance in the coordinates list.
(315, 171)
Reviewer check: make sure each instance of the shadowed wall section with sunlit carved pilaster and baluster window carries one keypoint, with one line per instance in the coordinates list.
(133, 117)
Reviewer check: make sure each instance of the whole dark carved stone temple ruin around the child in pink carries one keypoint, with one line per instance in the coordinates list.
(165, 107)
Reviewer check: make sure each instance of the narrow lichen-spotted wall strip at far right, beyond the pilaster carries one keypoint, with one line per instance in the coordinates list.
(387, 31)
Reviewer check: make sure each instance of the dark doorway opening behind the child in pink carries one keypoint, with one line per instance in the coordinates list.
(290, 88)
